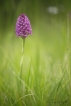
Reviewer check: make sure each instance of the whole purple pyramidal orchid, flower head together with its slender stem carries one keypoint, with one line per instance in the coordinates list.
(23, 29)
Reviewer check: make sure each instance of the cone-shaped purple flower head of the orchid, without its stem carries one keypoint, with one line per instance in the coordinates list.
(23, 26)
